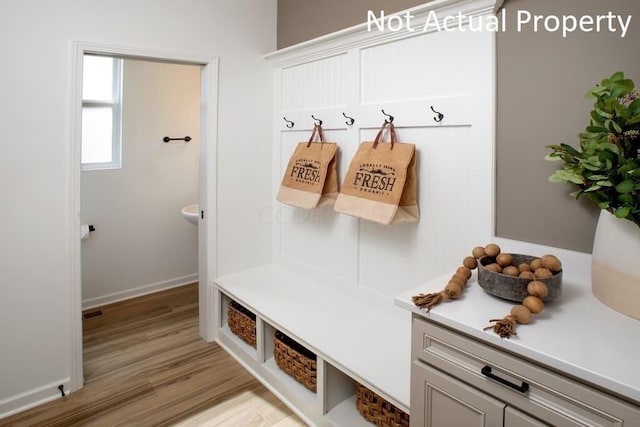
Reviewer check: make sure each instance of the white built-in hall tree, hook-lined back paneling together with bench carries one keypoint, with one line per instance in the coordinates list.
(333, 277)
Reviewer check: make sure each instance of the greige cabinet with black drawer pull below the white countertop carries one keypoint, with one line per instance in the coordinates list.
(457, 380)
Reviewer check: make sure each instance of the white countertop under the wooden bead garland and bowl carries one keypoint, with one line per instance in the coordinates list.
(575, 333)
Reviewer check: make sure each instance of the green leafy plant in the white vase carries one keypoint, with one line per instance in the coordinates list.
(606, 165)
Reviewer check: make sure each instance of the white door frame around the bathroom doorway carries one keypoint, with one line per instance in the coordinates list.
(207, 238)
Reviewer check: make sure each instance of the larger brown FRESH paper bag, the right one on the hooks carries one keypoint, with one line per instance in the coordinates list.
(380, 184)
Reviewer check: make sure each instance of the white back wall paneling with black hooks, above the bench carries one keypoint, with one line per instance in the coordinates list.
(451, 71)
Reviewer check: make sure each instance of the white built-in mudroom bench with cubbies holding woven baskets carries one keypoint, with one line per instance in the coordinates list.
(355, 341)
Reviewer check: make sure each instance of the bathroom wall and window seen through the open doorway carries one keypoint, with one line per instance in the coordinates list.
(141, 243)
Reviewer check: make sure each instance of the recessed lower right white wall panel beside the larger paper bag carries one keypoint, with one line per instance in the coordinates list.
(392, 258)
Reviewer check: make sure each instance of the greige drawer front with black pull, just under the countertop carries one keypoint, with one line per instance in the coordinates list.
(550, 396)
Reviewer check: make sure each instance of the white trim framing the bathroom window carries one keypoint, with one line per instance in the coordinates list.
(116, 119)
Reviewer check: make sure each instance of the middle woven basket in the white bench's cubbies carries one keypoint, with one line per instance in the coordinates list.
(295, 360)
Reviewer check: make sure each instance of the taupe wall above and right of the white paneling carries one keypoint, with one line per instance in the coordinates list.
(542, 78)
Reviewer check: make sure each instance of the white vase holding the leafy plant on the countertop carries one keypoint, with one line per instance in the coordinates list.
(615, 264)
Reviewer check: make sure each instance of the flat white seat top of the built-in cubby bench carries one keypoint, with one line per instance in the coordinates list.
(368, 342)
